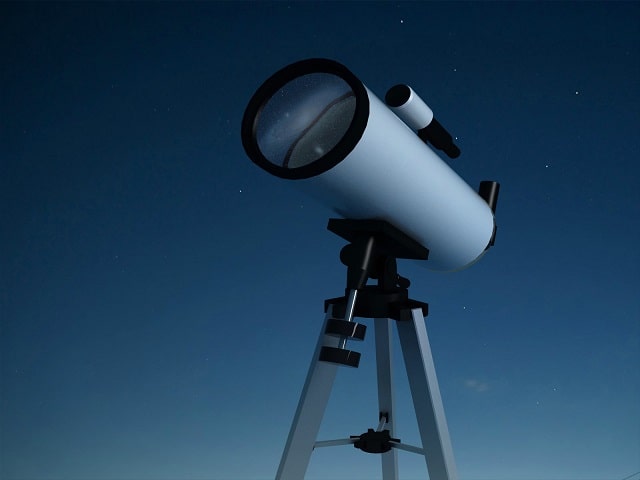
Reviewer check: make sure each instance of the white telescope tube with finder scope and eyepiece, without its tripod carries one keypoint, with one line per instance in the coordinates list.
(316, 124)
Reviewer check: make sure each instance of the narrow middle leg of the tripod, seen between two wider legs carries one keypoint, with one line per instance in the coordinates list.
(385, 392)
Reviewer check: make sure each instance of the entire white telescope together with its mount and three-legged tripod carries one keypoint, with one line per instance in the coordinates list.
(316, 125)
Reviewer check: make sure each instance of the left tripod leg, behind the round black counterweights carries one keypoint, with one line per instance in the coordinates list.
(311, 406)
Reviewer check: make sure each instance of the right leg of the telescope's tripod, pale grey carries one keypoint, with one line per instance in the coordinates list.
(426, 396)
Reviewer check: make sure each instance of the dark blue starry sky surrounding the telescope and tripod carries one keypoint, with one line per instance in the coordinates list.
(161, 296)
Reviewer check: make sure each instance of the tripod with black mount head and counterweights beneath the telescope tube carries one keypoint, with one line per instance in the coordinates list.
(371, 254)
